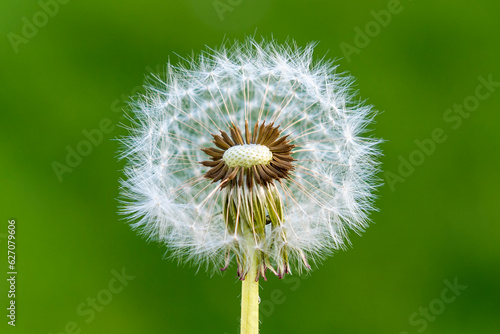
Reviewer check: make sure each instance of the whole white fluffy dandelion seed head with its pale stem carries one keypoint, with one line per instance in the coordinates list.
(251, 154)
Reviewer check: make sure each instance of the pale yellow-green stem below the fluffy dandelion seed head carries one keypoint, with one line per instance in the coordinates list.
(250, 302)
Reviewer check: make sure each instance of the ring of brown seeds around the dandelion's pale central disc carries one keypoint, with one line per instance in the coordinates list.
(267, 135)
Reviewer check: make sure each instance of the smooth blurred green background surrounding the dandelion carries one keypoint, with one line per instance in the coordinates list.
(437, 222)
